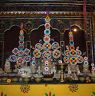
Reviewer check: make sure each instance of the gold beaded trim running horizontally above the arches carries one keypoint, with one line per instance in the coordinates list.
(41, 13)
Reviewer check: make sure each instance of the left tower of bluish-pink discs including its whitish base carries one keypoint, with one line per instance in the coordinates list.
(21, 56)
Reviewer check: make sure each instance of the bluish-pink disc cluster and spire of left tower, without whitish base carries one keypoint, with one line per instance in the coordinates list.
(20, 54)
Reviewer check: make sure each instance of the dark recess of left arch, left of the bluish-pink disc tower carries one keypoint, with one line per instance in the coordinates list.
(11, 37)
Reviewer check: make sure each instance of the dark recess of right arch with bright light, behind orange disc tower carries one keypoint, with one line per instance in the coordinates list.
(79, 37)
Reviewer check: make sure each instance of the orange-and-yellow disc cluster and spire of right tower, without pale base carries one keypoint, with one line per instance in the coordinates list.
(71, 55)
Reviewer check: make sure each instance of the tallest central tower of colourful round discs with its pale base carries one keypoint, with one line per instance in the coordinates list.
(46, 52)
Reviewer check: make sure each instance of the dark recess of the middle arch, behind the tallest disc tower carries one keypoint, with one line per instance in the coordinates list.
(38, 33)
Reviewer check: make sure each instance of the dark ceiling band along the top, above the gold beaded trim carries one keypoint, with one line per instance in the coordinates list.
(51, 5)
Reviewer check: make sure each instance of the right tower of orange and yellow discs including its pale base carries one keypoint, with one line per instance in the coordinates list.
(72, 57)
